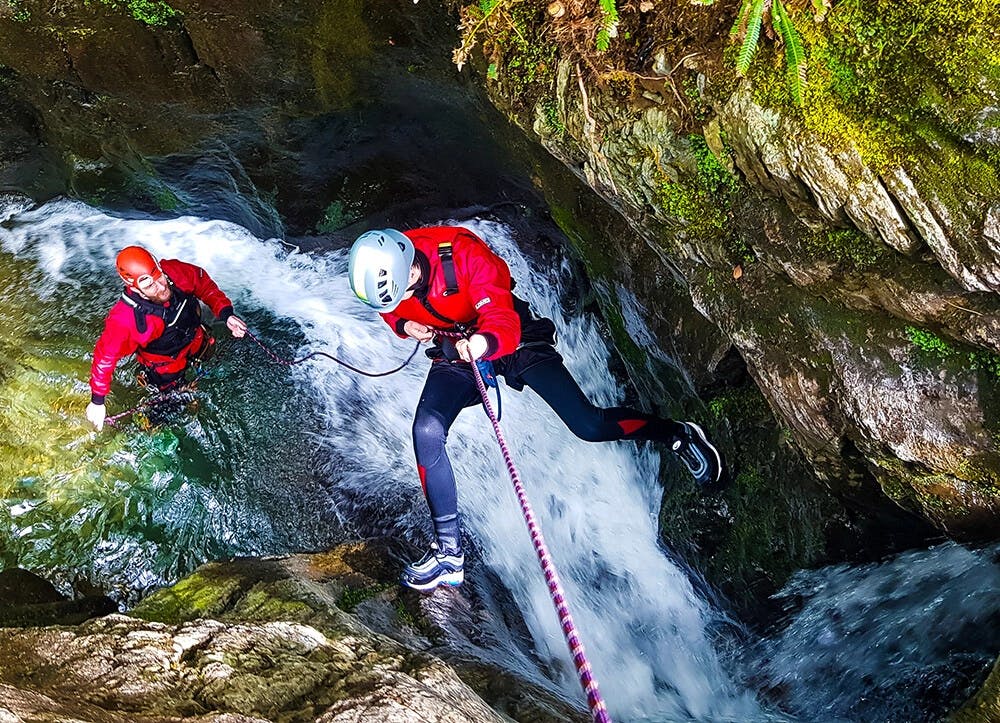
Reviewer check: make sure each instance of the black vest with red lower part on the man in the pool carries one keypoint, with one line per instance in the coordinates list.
(182, 334)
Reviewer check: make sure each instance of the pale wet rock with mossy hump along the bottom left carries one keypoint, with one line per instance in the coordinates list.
(264, 640)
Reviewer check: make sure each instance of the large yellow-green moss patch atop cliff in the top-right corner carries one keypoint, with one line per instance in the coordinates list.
(895, 80)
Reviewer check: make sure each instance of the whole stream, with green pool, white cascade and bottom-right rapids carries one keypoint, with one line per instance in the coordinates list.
(283, 459)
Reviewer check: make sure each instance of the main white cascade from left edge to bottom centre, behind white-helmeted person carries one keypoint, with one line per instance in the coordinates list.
(643, 624)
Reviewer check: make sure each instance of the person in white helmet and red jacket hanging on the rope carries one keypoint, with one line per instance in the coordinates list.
(446, 278)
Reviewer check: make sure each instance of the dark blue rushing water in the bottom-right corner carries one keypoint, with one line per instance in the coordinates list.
(898, 640)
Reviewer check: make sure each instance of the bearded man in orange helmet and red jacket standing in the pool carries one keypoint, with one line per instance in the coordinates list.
(158, 317)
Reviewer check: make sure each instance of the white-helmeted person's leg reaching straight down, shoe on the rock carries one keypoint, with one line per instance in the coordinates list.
(449, 389)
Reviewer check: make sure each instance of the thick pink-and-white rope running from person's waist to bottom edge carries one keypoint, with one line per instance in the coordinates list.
(595, 702)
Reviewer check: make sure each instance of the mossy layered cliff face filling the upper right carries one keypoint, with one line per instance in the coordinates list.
(847, 249)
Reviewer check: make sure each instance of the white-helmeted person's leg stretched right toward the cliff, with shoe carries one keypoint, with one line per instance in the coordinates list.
(553, 383)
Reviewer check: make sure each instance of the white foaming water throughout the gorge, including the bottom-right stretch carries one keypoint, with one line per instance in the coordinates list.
(648, 634)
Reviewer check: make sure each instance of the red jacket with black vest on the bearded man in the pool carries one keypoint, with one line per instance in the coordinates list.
(135, 325)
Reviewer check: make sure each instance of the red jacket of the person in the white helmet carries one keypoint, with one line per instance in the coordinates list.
(484, 297)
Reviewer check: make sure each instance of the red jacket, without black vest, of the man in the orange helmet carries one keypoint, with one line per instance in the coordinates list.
(122, 335)
